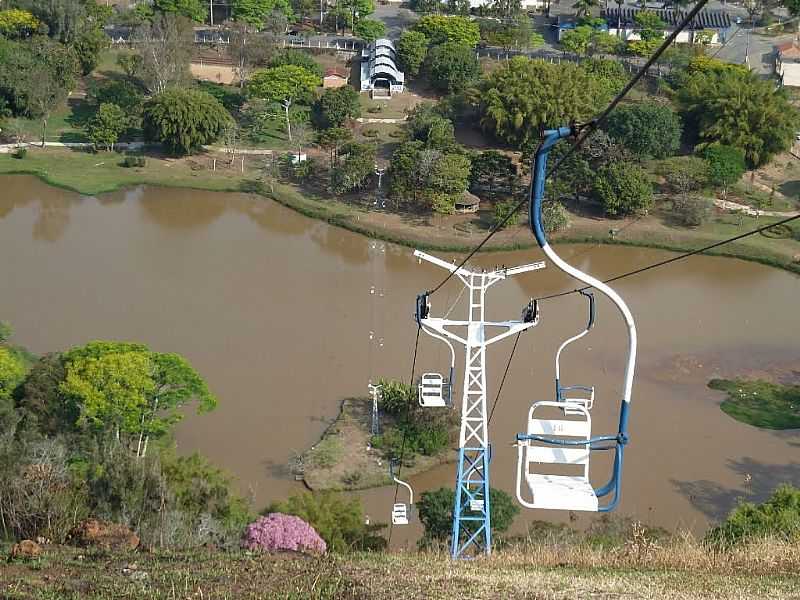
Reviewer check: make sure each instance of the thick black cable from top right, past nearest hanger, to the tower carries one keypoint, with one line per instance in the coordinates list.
(584, 132)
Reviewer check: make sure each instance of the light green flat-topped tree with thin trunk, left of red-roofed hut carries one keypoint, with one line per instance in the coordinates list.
(284, 85)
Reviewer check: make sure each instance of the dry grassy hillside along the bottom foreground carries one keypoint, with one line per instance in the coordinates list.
(681, 569)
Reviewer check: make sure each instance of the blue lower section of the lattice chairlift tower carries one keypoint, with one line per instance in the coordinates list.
(472, 528)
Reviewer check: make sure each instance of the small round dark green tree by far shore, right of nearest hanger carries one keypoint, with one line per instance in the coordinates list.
(623, 188)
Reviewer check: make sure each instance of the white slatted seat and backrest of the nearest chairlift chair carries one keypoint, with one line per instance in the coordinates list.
(559, 492)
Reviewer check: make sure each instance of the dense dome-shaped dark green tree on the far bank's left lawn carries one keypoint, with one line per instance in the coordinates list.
(184, 119)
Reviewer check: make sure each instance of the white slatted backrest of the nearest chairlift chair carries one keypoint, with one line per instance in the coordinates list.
(567, 429)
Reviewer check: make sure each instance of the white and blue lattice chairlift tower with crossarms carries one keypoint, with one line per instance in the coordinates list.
(472, 531)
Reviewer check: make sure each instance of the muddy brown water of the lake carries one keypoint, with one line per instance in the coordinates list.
(276, 310)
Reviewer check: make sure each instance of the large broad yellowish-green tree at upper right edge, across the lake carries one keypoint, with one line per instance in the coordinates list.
(737, 108)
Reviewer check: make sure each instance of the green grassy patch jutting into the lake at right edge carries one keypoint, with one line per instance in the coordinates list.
(760, 403)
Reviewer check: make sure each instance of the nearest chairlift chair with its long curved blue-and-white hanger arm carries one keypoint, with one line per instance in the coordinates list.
(559, 447)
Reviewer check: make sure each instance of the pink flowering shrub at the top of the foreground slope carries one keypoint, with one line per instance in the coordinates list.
(277, 532)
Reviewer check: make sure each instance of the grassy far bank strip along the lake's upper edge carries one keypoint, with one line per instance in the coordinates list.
(59, 169)
